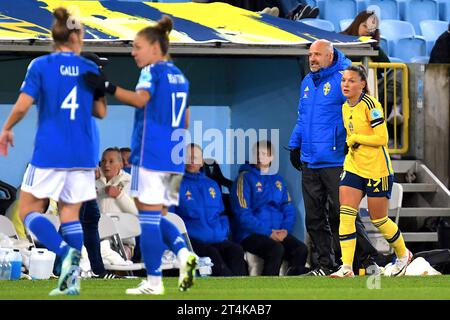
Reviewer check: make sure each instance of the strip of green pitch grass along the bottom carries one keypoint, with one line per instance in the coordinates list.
(246, 288)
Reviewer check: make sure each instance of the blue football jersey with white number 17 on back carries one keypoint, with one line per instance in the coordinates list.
(152, 143)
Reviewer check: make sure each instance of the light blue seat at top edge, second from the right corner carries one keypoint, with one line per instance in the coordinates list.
(418, 10)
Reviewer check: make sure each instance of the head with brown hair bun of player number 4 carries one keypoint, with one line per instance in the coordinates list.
(64, 25)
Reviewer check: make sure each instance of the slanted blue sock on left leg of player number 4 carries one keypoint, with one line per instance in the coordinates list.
(46, 233)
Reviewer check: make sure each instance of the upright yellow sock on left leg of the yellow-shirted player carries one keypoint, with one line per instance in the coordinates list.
(347, 234)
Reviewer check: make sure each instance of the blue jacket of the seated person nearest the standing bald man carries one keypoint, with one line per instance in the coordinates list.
(260, 203)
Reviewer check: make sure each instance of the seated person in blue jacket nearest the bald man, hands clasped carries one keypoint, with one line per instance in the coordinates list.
(264, 215)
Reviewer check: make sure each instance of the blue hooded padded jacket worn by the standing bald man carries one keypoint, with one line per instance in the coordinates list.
(319, 131)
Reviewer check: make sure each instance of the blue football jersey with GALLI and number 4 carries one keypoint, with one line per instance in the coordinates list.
(65, 137)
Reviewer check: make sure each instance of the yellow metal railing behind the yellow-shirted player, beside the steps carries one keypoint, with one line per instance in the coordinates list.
(398, 146)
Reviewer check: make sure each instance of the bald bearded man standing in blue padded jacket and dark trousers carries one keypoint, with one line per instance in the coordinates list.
(317, 148)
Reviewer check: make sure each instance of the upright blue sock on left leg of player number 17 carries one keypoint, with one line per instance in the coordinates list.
(152, 245)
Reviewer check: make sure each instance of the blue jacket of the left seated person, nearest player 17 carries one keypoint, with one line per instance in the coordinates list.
(200, 207)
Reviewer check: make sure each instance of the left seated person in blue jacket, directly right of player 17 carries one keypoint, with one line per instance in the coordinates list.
(202, 209)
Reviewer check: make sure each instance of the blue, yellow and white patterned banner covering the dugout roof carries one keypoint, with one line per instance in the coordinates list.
(193, 22)
